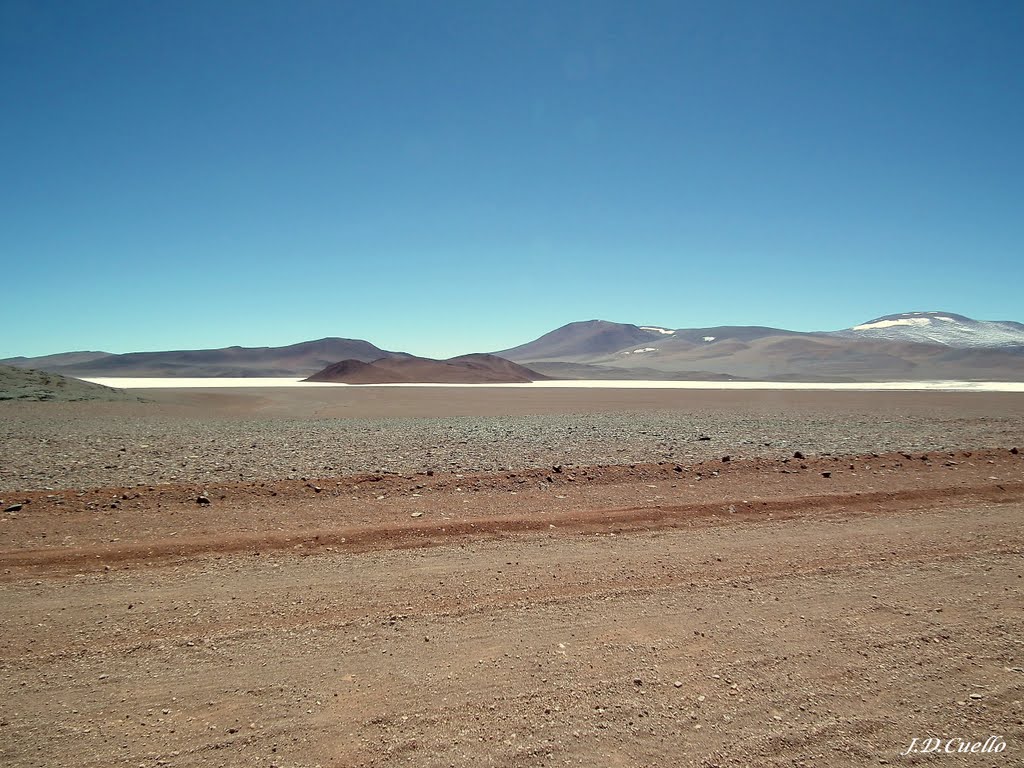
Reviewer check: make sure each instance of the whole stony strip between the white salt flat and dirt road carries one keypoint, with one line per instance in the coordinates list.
(217, 439)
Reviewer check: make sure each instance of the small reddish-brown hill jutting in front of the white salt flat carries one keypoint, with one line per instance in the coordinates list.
(467, 369)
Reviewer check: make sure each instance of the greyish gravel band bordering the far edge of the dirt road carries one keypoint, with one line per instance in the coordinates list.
(53, 446)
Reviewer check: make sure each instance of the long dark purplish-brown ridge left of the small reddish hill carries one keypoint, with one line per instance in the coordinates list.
(292, 361)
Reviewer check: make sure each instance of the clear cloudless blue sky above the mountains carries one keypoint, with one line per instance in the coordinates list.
(444, 178)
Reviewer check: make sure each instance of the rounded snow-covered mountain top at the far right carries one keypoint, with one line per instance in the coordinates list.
(940, 328)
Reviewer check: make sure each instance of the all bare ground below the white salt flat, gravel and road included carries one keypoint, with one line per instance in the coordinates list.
(487, 577)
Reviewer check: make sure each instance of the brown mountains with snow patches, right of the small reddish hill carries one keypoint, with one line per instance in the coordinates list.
(907, 347)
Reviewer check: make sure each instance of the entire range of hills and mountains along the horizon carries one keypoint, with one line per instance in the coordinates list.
(915, 346)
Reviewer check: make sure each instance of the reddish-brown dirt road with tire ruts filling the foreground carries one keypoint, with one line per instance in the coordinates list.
(753, 613)
